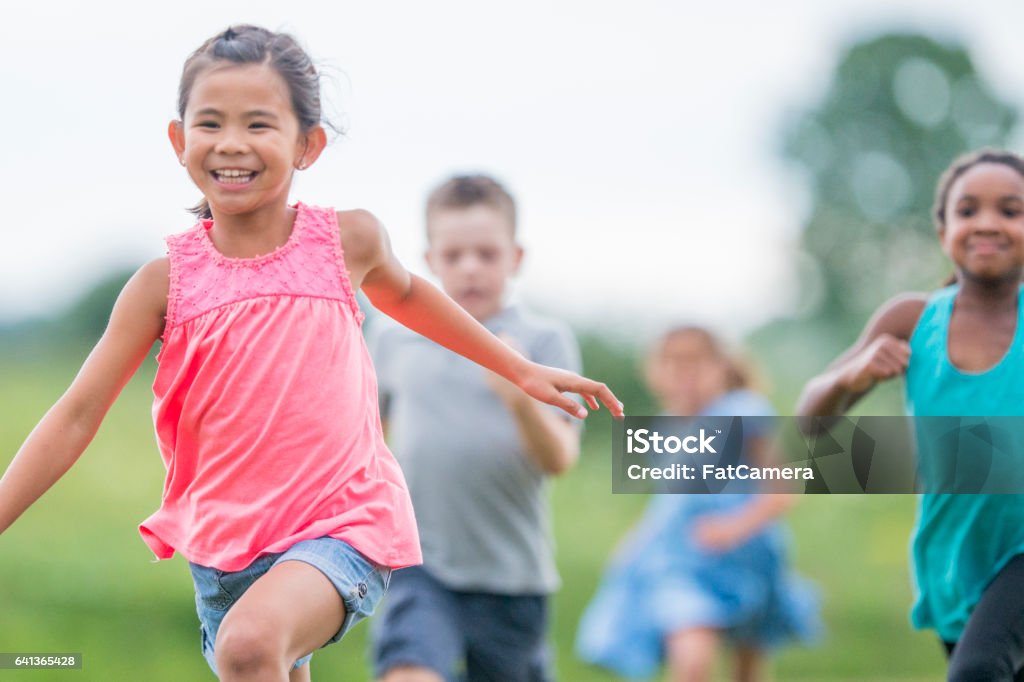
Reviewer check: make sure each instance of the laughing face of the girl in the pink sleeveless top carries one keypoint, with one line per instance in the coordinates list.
(240, 139)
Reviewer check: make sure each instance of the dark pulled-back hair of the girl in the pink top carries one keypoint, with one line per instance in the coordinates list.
(252, 45)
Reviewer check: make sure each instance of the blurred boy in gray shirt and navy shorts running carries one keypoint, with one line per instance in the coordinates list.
(477, 453)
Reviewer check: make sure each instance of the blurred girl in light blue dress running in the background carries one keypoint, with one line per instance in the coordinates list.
(700, 569)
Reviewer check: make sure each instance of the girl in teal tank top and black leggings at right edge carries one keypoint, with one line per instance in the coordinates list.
(962, 350)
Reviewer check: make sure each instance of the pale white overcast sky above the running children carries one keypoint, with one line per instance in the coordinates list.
(641, 139)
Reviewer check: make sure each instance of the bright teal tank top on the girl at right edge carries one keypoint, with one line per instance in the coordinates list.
(961, 542)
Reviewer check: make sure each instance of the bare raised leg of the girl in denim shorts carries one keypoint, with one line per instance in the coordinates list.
(285, 615)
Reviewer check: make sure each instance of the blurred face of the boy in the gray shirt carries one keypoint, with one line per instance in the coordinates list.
(474, 254)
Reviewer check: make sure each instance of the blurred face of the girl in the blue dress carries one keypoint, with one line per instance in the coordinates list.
(687, 374)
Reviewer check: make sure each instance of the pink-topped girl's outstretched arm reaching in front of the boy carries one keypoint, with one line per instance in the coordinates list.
(422, 308)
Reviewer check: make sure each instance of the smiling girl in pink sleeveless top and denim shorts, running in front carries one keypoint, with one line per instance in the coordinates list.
(280, 490)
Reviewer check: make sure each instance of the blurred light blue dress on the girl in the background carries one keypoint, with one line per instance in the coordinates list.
(662, 582)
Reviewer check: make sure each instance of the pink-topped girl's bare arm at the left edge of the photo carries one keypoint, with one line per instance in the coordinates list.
(68, 429)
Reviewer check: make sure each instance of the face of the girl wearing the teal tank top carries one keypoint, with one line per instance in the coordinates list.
(985, 231)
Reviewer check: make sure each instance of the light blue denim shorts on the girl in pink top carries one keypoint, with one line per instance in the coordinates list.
(361, 583)
